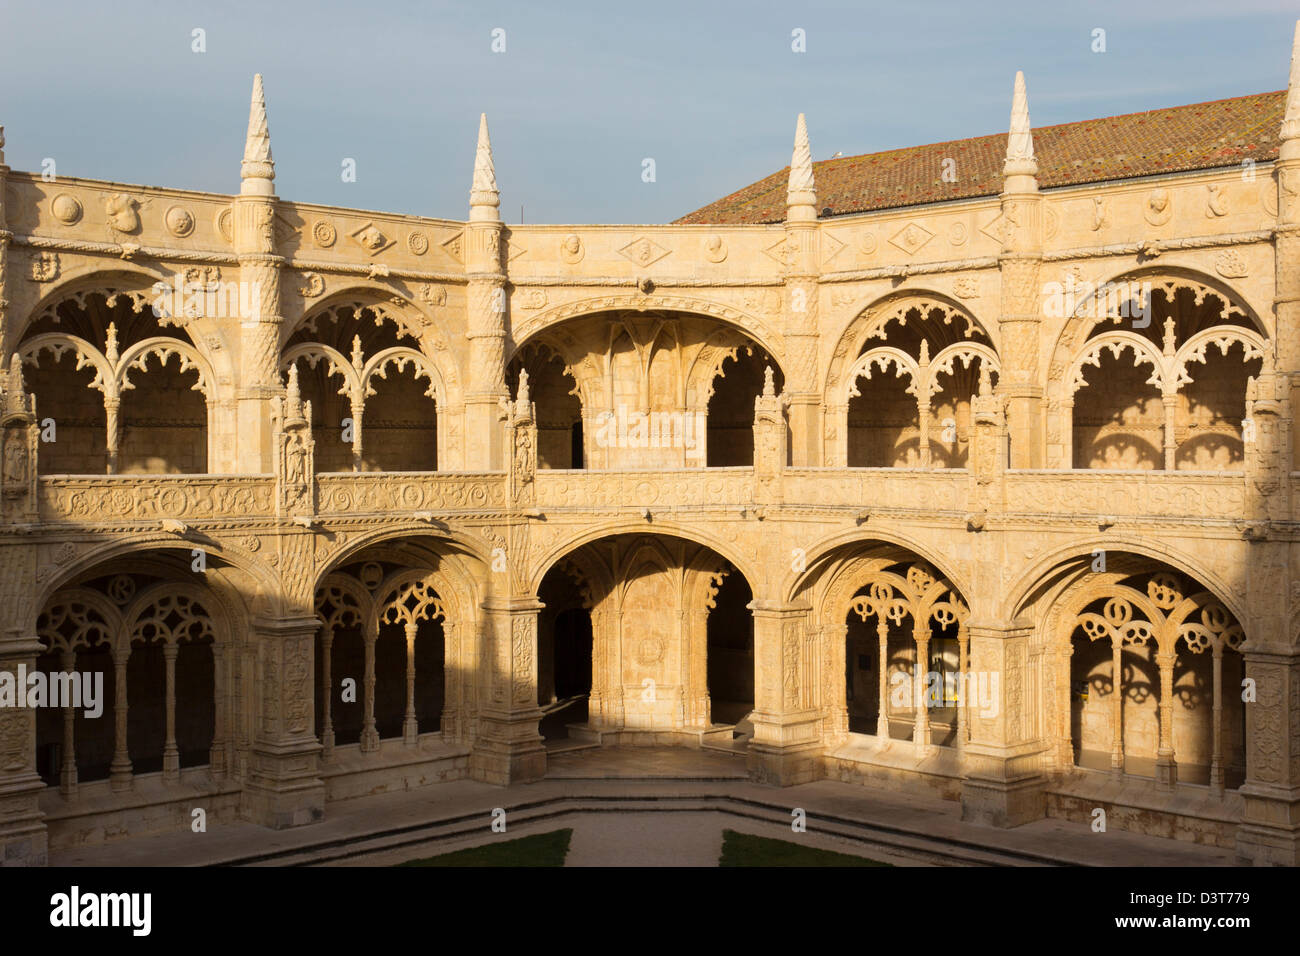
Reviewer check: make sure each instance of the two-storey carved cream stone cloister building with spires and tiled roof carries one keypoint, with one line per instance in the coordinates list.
(973, 478)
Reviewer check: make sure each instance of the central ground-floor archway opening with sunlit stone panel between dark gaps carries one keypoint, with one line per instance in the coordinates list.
(669, 628)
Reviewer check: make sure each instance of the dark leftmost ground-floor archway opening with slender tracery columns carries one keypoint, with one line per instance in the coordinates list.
(142, 647)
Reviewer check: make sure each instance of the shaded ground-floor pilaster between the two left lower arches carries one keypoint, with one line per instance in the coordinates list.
(284, 786)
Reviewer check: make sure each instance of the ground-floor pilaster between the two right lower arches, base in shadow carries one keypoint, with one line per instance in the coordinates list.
(1004, 782)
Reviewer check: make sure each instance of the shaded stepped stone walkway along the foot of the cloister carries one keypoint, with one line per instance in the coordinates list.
(626, 808)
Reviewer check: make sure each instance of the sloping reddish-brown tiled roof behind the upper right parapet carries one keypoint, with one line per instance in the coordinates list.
(1202, 136)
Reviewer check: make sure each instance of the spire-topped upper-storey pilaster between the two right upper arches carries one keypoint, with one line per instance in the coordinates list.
(1020, 314)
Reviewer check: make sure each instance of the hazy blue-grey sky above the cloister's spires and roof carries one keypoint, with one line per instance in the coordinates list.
(584, 92)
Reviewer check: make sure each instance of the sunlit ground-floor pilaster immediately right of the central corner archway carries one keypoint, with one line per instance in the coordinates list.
(787, 742)
